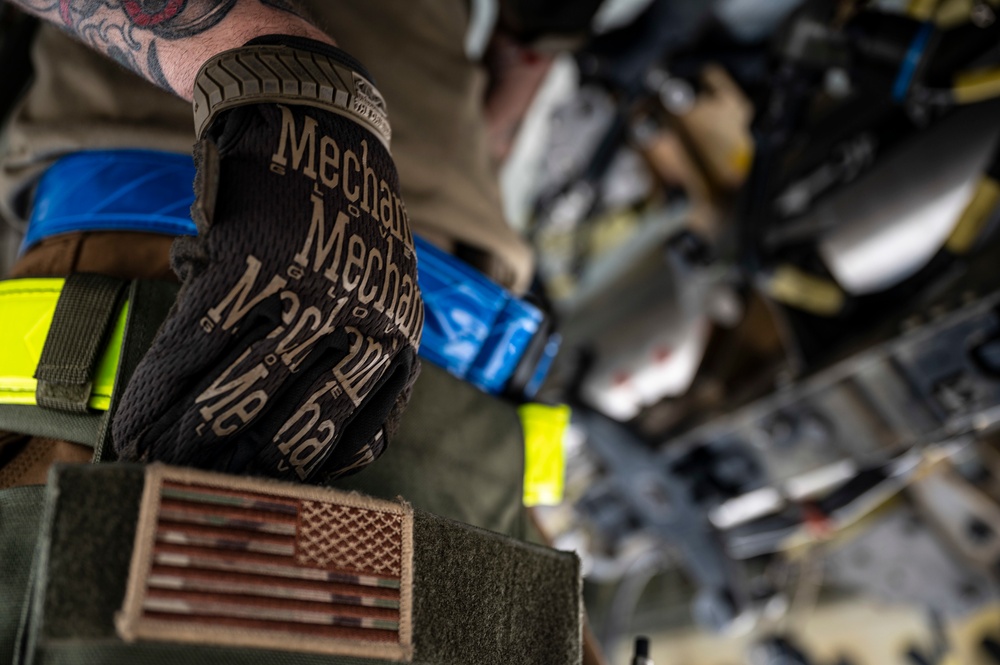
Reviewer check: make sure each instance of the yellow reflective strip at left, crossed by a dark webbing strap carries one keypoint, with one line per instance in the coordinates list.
(26, 309)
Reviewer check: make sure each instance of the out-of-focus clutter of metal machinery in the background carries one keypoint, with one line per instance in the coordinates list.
(767, 229)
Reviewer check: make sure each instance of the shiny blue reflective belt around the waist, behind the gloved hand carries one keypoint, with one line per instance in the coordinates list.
(473, 328)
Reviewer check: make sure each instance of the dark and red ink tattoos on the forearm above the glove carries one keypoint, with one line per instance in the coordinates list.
(128, 30)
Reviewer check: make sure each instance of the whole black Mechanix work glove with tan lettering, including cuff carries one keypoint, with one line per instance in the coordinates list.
(292, 347)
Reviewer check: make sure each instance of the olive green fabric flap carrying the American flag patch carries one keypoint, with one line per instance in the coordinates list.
(456, 594)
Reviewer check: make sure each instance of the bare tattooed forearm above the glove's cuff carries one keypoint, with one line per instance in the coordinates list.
(166, 41)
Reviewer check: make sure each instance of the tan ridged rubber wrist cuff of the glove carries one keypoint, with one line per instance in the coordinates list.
(289, 72)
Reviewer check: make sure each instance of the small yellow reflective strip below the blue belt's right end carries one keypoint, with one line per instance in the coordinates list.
(544, 460)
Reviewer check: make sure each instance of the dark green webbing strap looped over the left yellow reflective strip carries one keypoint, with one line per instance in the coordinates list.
(85, 314)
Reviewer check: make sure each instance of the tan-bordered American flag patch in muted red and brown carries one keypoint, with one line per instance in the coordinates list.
(226, 560)
